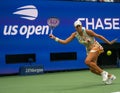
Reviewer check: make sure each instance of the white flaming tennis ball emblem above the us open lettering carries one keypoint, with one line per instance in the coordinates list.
(29, 12)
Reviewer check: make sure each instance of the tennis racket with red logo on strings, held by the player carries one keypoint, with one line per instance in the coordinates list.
(53, 22)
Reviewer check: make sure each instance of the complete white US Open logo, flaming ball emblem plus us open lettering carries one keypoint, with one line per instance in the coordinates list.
(30, 13)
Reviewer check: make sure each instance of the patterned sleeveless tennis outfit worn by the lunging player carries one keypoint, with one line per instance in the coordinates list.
(89, 42)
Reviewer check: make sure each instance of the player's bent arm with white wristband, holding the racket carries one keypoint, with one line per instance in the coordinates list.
(67, 40)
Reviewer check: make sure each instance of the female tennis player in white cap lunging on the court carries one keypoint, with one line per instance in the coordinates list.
(93, 49)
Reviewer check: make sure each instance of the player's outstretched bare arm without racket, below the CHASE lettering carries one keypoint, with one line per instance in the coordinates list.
(91, 33)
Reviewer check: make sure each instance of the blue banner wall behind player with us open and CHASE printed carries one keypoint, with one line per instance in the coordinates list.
(24, 30)
